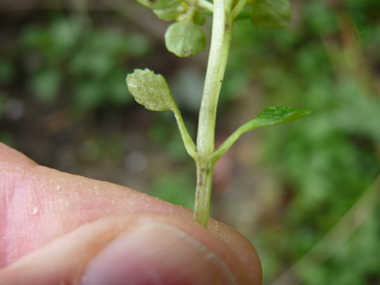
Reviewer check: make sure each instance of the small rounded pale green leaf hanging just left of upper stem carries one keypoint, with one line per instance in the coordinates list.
(185, 38)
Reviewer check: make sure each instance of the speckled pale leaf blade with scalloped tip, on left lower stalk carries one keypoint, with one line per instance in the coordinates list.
(150, 90)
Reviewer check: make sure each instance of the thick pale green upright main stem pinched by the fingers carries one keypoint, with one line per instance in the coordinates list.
(220, 44)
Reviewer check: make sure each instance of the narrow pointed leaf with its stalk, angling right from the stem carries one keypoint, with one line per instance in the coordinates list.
(267, 117)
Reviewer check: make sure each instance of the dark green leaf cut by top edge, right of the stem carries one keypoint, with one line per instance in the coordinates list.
(270, 14)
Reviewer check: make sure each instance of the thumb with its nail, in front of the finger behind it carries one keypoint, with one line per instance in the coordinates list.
(133, 249)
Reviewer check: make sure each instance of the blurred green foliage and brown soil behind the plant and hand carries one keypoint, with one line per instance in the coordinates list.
(305, 193)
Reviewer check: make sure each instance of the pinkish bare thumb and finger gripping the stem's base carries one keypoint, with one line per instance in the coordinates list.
(58, 228)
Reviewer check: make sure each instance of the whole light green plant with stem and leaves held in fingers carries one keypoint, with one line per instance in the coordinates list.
(184, 38)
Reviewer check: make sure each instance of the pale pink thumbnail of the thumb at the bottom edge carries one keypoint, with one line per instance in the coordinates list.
(157, 253)
